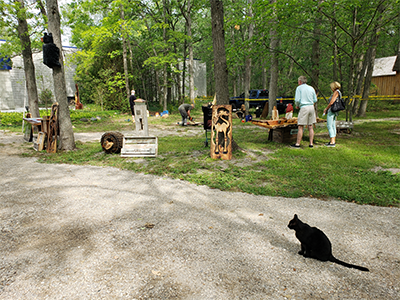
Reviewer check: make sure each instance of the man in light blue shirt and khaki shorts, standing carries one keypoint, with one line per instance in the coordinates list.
(305, 98)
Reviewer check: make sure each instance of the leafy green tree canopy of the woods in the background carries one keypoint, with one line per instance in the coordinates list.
(144, 44)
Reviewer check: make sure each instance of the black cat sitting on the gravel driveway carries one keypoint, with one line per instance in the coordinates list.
(315, 244)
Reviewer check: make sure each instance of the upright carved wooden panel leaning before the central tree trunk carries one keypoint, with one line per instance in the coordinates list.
(221, 132)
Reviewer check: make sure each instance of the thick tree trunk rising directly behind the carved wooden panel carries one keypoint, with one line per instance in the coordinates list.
(220, 66)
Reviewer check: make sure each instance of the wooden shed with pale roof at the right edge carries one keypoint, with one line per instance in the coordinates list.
(386, 75)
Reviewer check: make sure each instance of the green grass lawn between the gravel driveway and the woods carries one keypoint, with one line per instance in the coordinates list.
(356, 170)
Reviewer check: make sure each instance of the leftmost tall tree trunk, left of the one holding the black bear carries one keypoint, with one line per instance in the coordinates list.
(29, 67)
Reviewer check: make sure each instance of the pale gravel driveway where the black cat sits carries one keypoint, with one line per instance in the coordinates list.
(82, 232)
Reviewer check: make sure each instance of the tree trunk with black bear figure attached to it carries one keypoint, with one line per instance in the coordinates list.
(66, 132)
